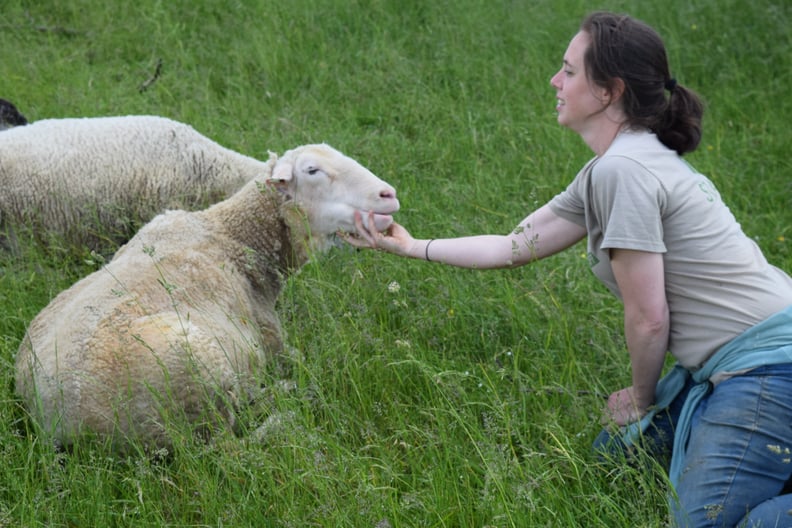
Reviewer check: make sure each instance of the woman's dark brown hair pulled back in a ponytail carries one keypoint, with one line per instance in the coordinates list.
(624, 48)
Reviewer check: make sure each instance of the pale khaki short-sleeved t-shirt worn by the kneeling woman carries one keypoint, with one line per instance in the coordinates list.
(640, 195)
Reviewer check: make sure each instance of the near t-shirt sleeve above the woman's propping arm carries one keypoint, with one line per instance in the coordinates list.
(628, 201)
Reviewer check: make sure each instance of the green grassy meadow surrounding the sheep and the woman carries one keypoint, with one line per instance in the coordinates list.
(422, 395)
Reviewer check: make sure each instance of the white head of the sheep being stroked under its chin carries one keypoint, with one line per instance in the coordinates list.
(329, 187)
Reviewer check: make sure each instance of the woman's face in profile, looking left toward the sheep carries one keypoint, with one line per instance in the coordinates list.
(578, 102)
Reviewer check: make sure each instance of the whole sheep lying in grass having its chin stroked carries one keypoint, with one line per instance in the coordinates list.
(181, 318)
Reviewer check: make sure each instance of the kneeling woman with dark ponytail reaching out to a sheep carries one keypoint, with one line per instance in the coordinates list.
(692, 283)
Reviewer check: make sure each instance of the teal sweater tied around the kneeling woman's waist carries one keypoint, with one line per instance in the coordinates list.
(766, 343)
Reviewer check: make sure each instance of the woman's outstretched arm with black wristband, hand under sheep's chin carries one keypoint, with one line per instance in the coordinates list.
(539, 235)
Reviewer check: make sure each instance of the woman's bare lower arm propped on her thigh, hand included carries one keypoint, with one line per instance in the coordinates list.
(641, 279)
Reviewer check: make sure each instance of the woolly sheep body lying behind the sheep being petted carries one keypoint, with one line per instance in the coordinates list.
(92, 181)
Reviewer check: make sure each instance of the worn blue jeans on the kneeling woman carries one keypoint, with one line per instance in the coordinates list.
(739, 455)
